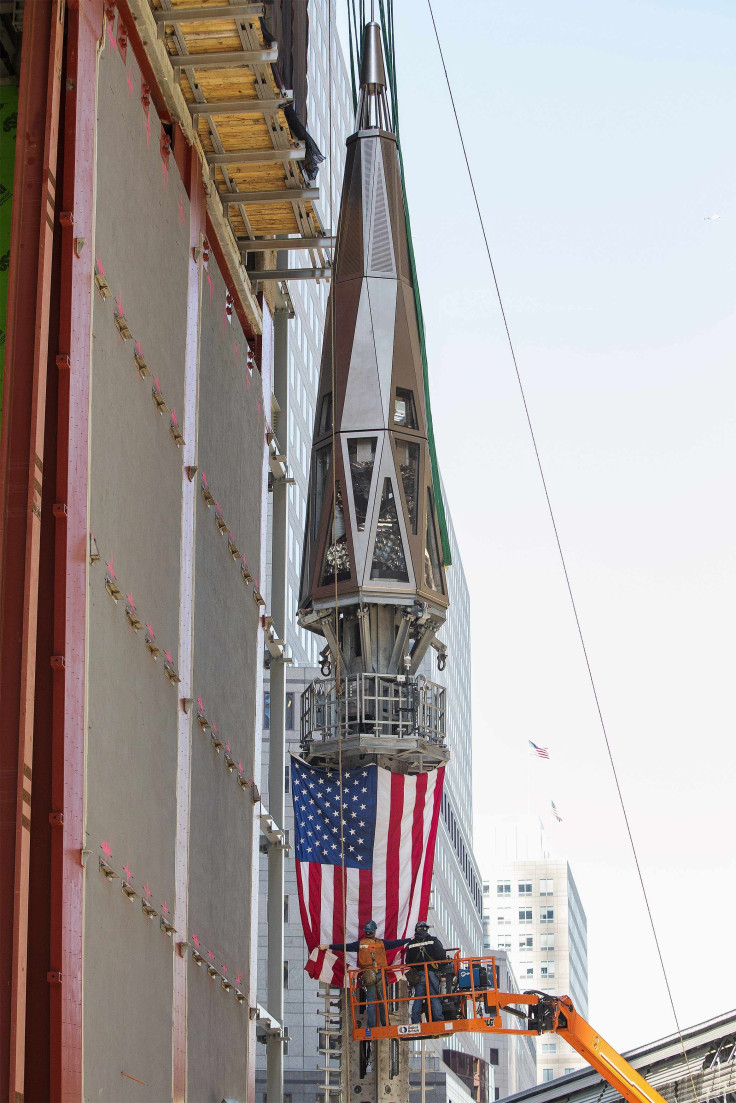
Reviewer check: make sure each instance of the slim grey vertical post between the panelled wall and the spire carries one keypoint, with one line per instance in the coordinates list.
(278, 730)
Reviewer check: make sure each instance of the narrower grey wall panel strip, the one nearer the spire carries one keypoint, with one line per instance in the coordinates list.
(227, 618)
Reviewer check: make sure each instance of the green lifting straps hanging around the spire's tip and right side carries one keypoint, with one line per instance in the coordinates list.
(356, 25)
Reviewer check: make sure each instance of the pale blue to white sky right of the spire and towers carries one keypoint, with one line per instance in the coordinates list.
(601, 141)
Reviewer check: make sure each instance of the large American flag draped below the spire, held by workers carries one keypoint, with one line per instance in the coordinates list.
(390, 828)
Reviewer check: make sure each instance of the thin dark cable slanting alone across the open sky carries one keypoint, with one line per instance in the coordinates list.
(560, 548)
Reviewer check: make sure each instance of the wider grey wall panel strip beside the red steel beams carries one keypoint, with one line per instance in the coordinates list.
(135, 515)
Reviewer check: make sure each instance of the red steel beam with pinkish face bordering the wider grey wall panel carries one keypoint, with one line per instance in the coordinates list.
(86, 28)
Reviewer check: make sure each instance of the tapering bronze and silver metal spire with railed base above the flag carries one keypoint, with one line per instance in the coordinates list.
(372, 583)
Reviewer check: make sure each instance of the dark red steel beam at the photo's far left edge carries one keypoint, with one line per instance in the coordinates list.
(22, 477)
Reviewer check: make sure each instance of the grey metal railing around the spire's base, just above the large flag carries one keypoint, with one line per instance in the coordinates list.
(383, 705)
